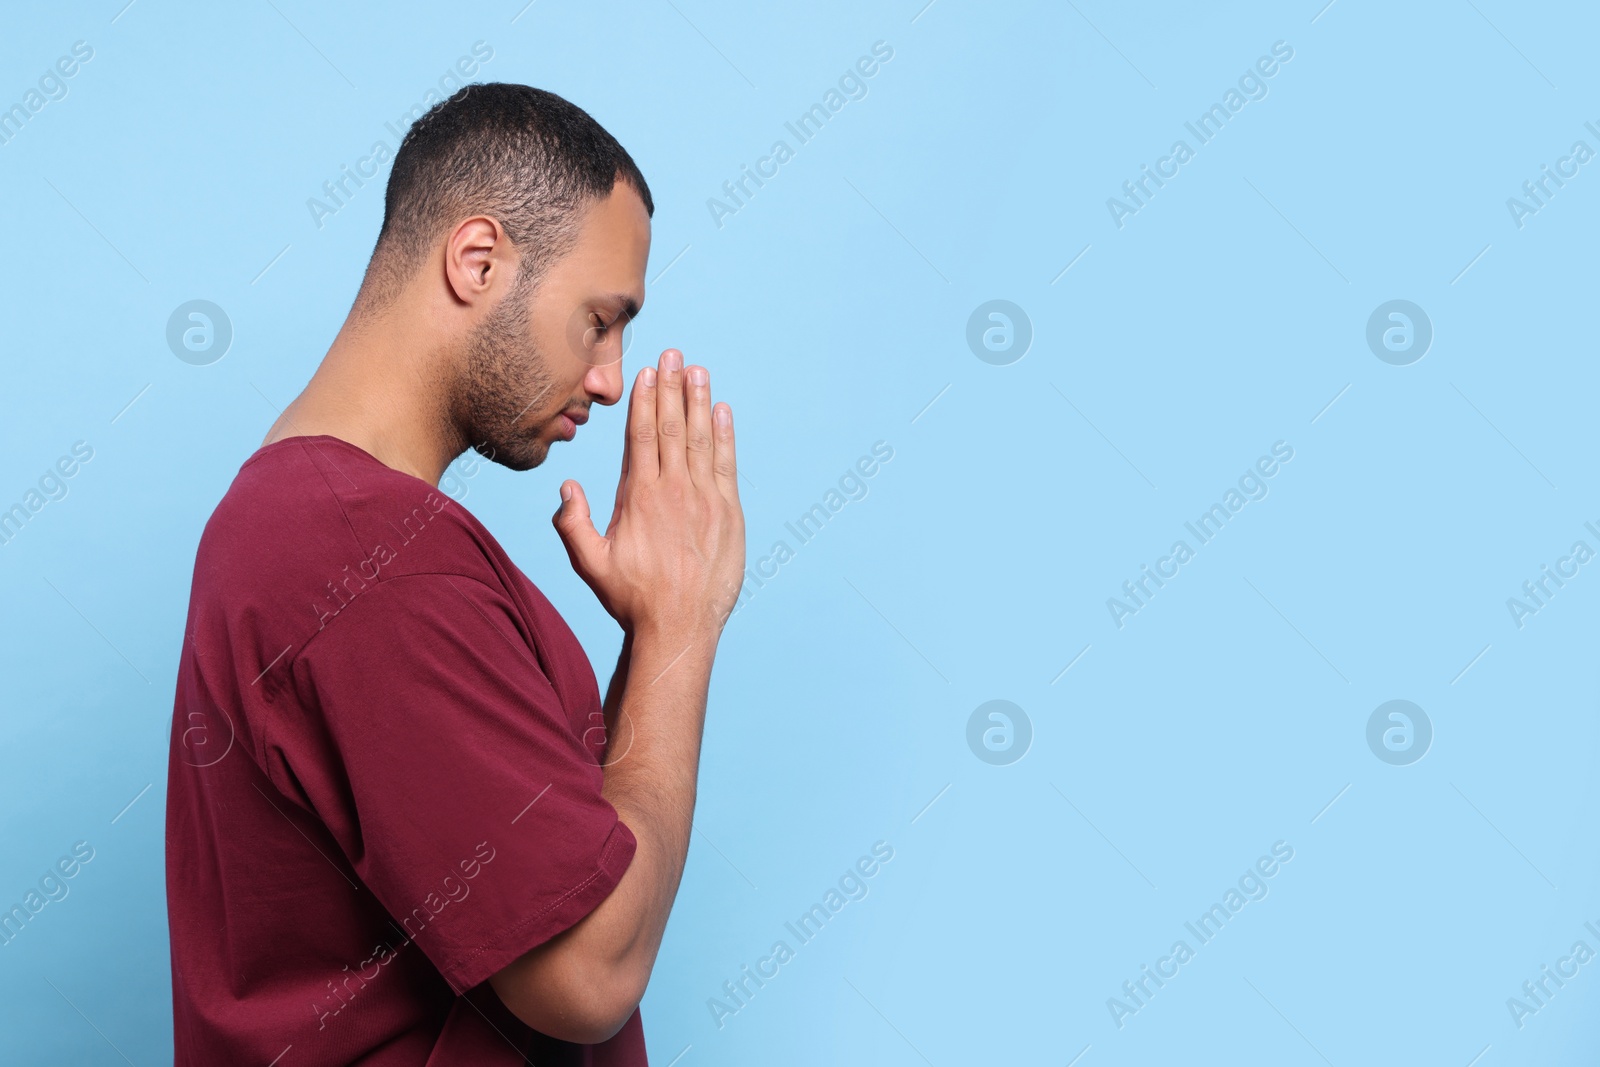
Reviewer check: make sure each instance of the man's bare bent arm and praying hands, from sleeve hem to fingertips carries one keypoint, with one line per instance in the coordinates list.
(668, 570)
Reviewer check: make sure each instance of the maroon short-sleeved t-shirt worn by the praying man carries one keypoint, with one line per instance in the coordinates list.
(385, 780)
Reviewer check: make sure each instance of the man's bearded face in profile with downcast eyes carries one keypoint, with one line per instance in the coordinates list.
(545, 354)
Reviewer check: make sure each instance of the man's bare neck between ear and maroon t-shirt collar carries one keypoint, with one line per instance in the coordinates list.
(380, 390)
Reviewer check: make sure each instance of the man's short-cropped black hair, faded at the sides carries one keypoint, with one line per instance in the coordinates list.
(522, 156)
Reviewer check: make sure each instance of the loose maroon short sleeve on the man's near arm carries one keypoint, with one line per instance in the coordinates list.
(442, 761)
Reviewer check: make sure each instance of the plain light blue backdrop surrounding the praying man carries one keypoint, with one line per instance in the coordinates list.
(833, 308)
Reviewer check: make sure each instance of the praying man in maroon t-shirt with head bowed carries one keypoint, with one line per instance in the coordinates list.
(402, 826)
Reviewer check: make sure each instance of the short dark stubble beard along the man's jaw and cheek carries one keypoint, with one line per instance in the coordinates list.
(505, 378)
